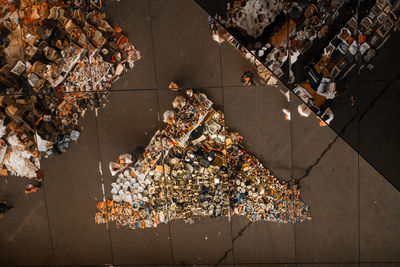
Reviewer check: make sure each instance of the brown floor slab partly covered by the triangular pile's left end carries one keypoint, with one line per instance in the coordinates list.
(129, 121)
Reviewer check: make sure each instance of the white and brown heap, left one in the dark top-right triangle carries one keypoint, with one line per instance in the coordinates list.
(263, 26)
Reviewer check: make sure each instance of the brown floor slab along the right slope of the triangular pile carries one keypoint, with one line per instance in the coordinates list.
(256, 113)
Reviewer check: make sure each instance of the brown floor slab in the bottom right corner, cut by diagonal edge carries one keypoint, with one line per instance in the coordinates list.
(379, 217)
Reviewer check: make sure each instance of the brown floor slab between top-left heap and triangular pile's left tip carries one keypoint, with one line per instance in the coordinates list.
(72, 186)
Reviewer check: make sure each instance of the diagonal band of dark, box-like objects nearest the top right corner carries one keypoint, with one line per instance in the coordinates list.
(353, 46)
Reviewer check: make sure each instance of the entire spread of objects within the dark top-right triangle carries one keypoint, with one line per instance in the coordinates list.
(341, 35)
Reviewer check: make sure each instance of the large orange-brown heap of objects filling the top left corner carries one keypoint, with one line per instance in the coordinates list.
(57, 59)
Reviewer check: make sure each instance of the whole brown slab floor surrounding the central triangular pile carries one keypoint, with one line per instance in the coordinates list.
(355, 210)
